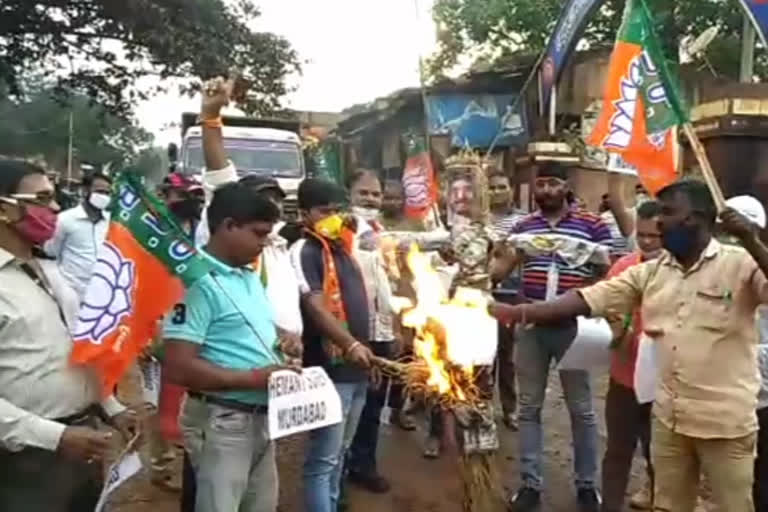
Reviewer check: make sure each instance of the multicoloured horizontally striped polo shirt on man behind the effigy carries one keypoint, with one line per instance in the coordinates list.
(575, 223)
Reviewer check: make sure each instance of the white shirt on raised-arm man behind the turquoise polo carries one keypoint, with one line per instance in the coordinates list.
(282, 284)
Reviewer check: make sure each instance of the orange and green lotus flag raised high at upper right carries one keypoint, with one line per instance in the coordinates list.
(641, 107)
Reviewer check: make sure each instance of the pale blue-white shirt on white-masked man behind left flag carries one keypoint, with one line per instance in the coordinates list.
(75, 245)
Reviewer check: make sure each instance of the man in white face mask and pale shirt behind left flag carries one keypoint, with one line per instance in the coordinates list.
(80, 232)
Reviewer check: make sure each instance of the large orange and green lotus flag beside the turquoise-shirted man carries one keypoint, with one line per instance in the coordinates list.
(141, 272)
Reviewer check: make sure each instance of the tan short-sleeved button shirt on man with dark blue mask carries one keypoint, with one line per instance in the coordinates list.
(703, 323)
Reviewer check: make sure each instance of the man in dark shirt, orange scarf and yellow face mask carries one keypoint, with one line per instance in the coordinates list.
(336, 331)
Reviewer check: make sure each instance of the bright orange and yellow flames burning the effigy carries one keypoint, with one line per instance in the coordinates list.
(446, 338)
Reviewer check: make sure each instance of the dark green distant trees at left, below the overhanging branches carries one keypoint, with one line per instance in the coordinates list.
(39, 128)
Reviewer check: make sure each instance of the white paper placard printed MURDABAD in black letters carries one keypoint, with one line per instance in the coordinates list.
(301, 402)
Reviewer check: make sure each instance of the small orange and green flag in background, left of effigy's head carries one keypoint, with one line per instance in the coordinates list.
(419, 185)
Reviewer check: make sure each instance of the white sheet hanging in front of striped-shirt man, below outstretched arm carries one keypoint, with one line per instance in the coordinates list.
(591, 348)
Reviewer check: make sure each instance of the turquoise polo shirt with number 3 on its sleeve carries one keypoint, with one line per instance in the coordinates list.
(228, 314)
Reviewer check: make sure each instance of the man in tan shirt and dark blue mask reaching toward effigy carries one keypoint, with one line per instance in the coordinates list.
(698, 305)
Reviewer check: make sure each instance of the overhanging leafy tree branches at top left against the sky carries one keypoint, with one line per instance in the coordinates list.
(103, 48)
